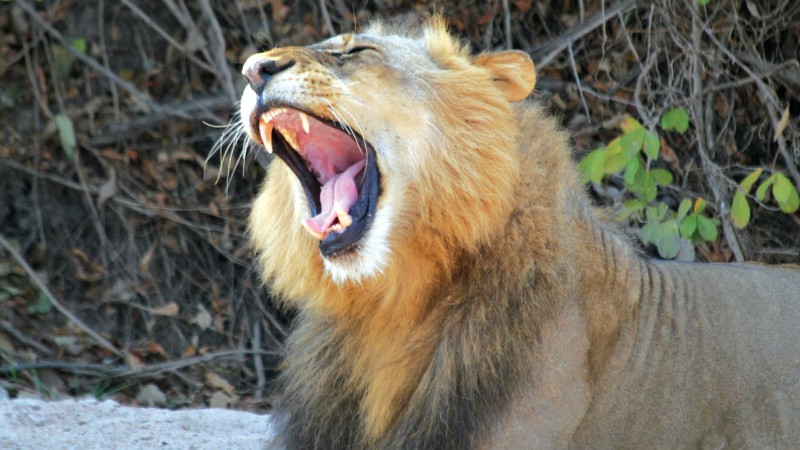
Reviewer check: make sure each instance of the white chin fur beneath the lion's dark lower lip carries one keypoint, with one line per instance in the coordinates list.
(372, 256)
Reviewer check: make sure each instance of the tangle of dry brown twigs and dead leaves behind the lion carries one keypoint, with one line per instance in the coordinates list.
(124, 268)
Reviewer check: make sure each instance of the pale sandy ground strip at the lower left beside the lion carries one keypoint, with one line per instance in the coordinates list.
(93, 425)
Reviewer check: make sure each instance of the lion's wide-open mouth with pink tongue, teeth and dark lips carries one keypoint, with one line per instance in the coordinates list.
(336, 168)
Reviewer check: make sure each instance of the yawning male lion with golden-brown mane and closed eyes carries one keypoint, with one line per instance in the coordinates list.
(455, 286)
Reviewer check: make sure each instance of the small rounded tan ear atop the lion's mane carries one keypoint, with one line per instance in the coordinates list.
(513, 71)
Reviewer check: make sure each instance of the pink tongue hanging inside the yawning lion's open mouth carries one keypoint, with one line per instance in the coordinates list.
(338, 195)
